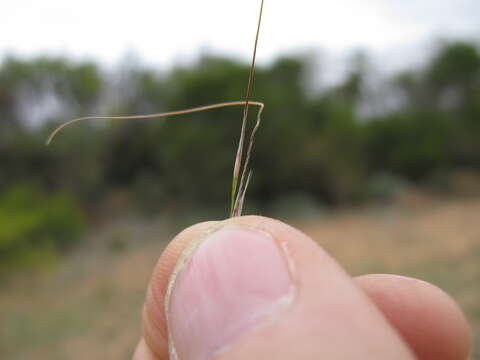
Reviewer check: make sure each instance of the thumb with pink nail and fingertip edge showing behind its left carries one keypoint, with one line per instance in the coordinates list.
(252, 288)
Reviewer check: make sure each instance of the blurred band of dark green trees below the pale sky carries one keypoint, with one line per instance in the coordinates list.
(313, 143)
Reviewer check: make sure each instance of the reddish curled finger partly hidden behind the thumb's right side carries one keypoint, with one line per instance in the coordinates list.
(426, 317)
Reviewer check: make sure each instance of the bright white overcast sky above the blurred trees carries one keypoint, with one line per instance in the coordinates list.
(163, 33)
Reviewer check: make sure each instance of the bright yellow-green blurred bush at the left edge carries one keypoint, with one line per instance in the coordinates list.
(34, 227)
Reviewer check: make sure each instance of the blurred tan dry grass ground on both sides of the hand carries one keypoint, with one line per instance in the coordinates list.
(89, 307)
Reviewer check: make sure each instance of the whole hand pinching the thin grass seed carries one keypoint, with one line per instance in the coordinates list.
(255, 288)
